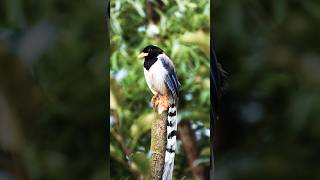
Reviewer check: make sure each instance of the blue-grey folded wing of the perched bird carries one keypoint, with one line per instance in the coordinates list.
(171, 79)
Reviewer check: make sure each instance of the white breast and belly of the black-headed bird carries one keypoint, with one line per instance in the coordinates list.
(155, 78)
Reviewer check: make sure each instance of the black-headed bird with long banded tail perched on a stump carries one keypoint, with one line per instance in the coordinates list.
(161, 78)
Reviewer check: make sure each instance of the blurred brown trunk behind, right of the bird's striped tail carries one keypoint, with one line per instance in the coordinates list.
(188, 141)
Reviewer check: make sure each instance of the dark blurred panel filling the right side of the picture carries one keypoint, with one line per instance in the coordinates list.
(270, 126)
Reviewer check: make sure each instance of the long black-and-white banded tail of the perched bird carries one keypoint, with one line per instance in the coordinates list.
(171, 140)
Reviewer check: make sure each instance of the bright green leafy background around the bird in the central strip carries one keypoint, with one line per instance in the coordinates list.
(182, 29)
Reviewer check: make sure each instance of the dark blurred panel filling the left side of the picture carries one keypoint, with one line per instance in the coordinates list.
(53, 85)
